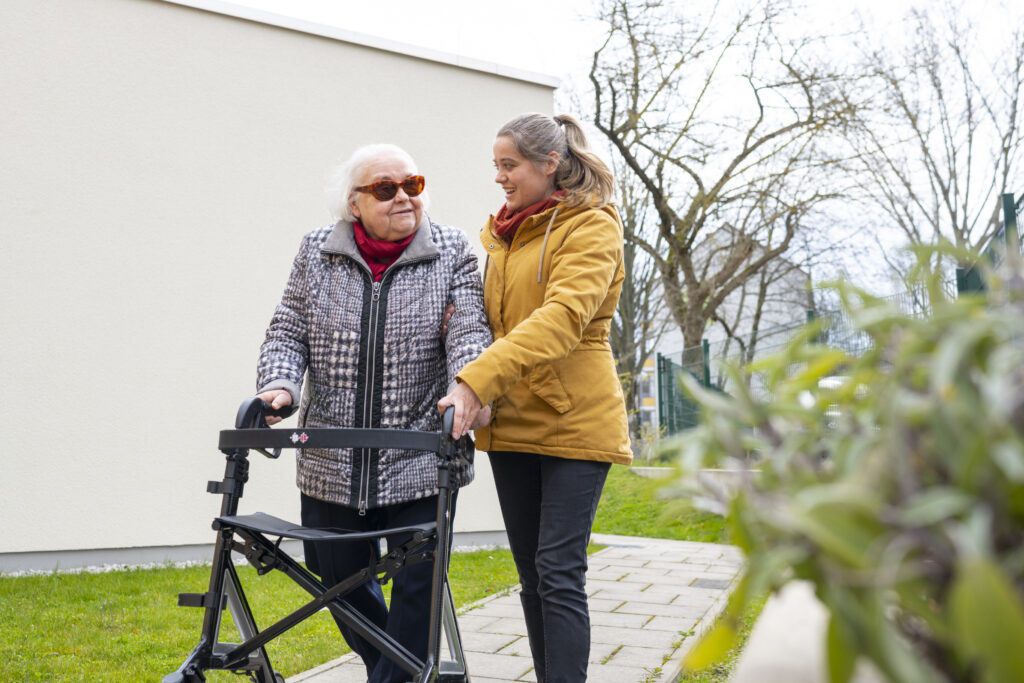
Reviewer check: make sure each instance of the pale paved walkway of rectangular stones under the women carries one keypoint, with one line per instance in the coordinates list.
(650, 602)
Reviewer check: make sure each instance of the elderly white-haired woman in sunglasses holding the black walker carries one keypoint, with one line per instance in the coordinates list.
(363, 316)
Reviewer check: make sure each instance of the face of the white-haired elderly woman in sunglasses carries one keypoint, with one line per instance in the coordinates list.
(397, 219)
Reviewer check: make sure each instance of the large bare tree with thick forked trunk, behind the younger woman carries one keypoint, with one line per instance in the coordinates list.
(722, 119)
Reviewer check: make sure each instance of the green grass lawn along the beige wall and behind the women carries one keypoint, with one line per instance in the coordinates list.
(126, 626)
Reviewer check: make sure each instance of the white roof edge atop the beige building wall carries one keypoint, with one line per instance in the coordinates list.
(336, 33)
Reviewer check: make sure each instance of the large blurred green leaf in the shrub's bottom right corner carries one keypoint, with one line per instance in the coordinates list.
(989, 622)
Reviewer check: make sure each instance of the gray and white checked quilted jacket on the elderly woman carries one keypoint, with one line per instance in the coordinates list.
(374, 355)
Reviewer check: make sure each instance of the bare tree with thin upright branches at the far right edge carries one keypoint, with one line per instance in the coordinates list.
(946, 137)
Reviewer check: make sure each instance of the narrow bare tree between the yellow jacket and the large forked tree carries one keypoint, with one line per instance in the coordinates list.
(641, 320)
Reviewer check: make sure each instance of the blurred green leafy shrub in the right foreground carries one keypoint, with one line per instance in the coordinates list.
(893, 482)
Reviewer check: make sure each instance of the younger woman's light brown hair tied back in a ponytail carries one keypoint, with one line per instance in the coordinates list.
(586, 180)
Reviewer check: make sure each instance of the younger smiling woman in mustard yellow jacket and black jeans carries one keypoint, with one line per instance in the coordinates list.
(551, 285)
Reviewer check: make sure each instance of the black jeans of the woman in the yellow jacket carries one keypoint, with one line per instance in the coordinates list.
(548, 505)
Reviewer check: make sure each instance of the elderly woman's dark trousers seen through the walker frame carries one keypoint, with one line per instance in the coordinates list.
(409, 619)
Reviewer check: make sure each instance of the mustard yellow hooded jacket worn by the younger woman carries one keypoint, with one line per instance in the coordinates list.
(550, 374)
